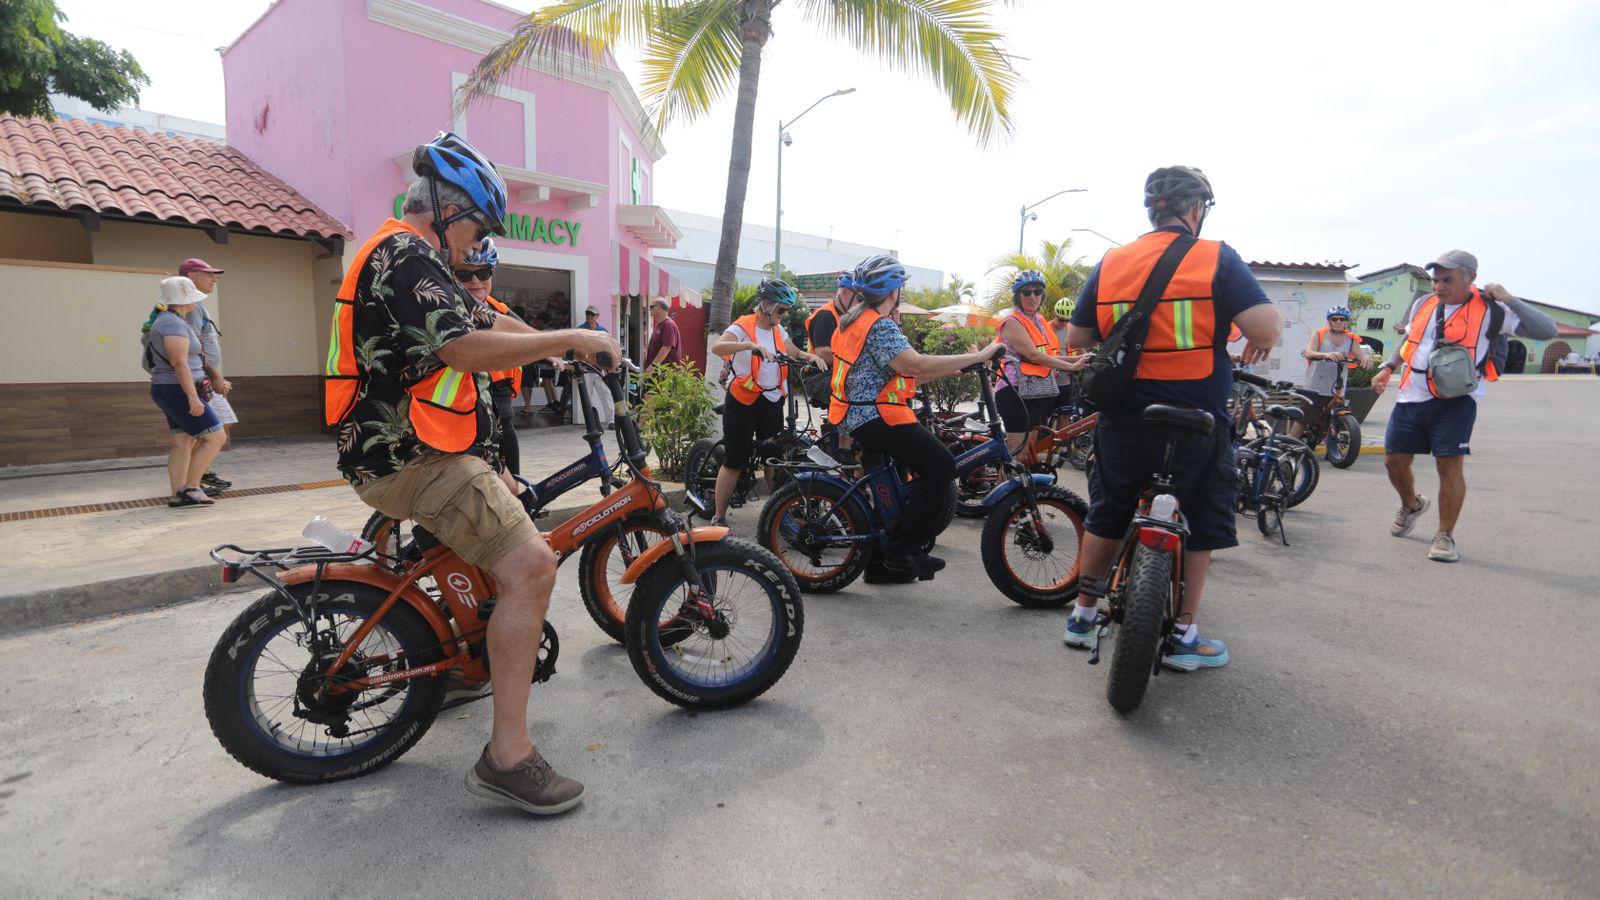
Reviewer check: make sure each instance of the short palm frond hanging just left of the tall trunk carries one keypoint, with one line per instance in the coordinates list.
(692, 60)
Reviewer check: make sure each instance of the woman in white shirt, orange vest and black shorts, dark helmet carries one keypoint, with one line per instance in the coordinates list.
(754, 409)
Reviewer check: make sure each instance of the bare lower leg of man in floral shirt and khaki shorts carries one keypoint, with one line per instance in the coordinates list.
(524, 581)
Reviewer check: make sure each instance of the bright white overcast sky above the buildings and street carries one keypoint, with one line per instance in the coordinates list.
(1366, 132)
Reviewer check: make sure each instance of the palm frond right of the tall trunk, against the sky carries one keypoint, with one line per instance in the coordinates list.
(950, 41)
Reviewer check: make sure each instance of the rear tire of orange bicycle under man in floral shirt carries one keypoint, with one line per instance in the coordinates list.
(225, 696)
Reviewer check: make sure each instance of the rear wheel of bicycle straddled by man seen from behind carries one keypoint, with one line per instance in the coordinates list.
(1138, 635)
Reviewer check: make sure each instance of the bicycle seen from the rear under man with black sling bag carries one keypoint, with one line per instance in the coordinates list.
(1146, 582)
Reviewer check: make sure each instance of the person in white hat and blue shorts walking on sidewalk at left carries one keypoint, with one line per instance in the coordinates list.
(180, 390)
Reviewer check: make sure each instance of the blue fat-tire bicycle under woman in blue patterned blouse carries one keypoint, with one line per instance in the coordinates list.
(825, 528)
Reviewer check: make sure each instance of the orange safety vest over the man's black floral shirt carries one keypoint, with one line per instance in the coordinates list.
(444, 406)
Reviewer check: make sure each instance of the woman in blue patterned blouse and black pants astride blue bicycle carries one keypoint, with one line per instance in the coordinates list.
(876, 374)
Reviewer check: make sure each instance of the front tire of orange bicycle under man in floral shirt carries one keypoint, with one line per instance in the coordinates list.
(663, 582)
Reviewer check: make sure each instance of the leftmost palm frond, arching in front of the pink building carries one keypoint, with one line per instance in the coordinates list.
(582, 28)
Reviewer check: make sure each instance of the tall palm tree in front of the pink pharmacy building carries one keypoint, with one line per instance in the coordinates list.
(697, 50)
